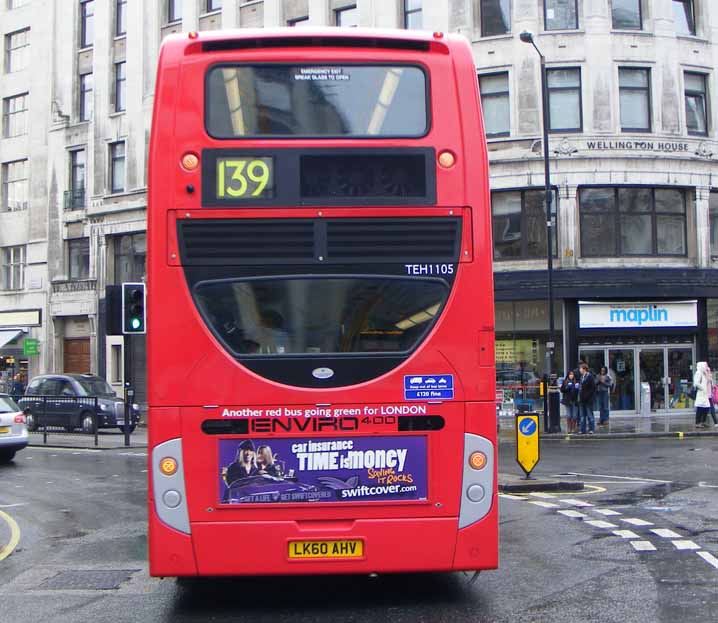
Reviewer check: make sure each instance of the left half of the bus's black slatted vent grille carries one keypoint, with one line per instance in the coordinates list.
(246, 241)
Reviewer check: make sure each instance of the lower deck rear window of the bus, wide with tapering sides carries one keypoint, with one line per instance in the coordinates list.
(327, 315)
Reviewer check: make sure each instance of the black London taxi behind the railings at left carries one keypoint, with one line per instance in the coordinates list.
(74, 401)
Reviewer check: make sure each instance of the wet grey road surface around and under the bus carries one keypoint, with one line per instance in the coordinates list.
(640, 544)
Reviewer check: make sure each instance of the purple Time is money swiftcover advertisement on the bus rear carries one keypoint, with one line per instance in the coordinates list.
(337, 469)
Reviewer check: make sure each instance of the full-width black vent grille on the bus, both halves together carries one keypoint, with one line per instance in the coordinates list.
(223, 242)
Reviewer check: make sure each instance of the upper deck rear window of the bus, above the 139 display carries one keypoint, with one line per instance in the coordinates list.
(308, 101)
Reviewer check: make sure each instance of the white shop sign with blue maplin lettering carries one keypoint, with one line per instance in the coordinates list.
(645, 315)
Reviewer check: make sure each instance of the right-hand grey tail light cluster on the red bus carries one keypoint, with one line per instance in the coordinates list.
(477, 486)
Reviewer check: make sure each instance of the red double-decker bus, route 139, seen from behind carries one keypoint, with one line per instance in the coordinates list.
(320, 306)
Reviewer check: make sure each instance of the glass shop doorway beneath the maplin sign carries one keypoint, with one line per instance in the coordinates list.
(666, 369)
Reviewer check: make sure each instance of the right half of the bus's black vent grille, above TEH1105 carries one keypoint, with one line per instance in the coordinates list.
(389, 240)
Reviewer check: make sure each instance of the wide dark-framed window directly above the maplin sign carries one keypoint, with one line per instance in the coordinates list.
(623, 221)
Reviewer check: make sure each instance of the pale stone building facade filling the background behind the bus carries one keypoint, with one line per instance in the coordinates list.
(633, 152)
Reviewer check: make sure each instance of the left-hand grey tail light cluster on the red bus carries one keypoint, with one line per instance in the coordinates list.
(168, 485)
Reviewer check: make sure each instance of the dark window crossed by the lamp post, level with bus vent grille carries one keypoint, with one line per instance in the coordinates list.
(519, 224)
